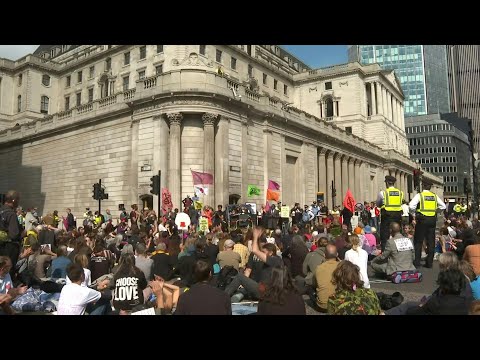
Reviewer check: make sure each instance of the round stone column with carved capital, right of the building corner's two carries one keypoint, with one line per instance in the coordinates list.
(209, 159)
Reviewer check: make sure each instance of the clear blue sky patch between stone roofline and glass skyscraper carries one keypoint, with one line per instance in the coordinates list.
(319, 55)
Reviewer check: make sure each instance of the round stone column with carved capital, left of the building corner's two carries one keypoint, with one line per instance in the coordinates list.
(174, 177)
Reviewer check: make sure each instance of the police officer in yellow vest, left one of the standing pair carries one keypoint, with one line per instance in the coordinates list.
(390, 202)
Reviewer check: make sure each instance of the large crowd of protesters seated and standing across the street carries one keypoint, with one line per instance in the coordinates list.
(98, 265)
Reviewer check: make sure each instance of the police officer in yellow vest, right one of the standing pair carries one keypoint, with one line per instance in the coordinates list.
(425, 221)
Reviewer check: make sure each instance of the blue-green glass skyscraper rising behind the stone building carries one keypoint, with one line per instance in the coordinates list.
(421, 69)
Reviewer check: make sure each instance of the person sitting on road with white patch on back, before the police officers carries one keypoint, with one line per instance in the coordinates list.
(399, 254)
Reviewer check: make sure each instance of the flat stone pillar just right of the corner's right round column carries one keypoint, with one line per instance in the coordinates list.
(222, 168)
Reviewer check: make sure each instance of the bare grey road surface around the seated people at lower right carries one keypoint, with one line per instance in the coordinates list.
(410, 292)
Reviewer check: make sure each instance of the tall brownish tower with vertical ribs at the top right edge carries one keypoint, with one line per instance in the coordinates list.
(464, 78)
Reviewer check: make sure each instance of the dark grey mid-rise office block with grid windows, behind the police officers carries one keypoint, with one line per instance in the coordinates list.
(439, 144)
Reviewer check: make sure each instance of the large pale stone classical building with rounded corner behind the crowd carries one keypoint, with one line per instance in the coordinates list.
(245, 113)
